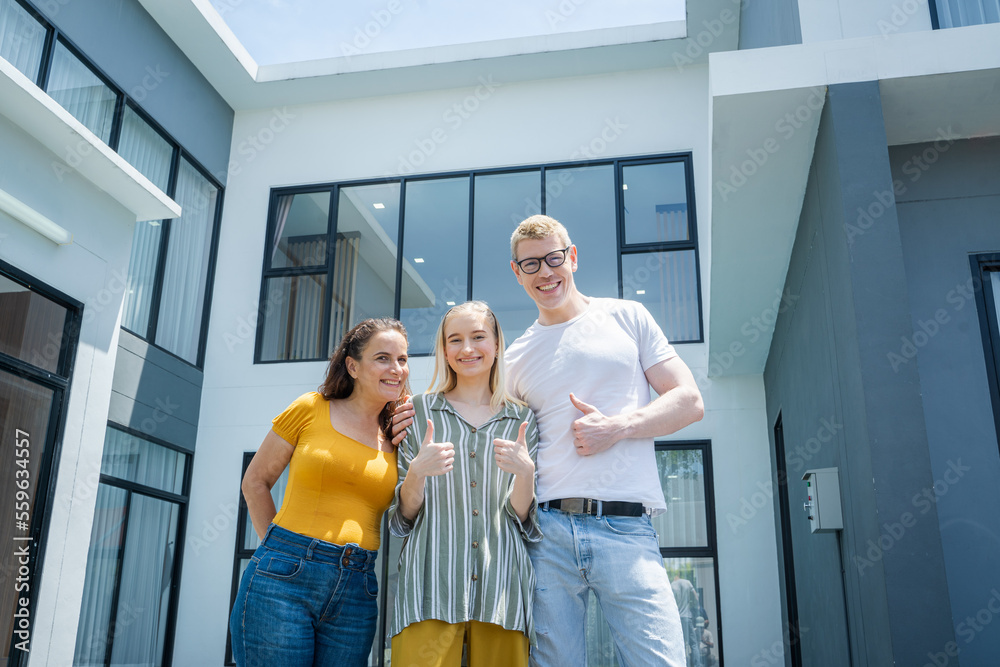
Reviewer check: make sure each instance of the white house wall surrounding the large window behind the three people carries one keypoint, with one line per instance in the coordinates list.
(516, 124)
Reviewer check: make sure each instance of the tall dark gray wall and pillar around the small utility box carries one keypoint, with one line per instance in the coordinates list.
(827, 362)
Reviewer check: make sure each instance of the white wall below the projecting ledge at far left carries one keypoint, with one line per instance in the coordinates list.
(90, 270)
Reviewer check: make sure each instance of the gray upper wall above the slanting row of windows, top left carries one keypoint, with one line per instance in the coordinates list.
(127, 44)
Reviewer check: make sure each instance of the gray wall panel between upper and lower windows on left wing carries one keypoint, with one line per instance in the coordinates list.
(155, 393)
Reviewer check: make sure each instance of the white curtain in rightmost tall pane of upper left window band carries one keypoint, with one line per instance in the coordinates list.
(182, 300)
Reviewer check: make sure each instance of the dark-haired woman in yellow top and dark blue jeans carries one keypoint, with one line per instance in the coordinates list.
(308, 596)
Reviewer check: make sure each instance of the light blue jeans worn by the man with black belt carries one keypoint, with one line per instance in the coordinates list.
(618, 558)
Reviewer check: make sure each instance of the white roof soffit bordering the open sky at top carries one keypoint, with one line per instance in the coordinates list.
(198, 30)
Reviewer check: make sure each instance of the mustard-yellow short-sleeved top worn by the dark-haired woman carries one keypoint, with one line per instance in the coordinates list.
(338, 488)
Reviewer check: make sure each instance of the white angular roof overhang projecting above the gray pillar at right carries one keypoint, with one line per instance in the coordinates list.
(766, 105)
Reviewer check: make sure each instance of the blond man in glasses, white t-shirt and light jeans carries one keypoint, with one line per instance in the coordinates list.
(585, 368)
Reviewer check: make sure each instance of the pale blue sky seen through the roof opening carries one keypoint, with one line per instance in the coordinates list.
(277, 31)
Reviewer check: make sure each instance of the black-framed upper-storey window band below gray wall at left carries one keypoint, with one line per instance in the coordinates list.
(168, 294)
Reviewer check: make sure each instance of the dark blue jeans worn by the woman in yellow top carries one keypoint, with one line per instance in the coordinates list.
(305, 602)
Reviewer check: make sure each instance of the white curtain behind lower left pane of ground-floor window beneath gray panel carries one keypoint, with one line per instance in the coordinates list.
(102, 570)
